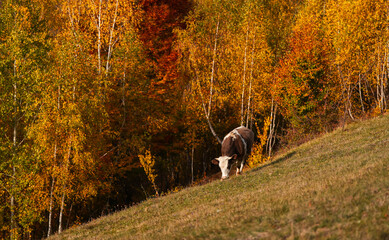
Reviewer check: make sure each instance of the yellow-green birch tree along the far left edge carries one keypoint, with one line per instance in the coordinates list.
(21, 67)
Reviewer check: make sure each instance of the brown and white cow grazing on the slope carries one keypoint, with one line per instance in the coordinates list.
(236, 146)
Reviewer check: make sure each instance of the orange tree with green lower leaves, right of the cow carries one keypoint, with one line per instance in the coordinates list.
(304, 80)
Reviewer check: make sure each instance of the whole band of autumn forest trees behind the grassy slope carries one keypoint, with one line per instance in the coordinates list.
(106, 102)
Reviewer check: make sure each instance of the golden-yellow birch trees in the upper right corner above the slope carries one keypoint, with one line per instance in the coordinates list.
(358, 33)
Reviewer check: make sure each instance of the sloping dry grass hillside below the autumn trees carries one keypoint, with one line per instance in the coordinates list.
(336, 186)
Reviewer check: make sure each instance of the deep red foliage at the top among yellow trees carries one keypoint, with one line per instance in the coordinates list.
(156, 32)
